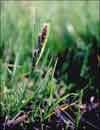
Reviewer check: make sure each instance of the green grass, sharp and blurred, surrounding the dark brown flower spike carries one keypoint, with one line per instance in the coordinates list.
(20, 26)
